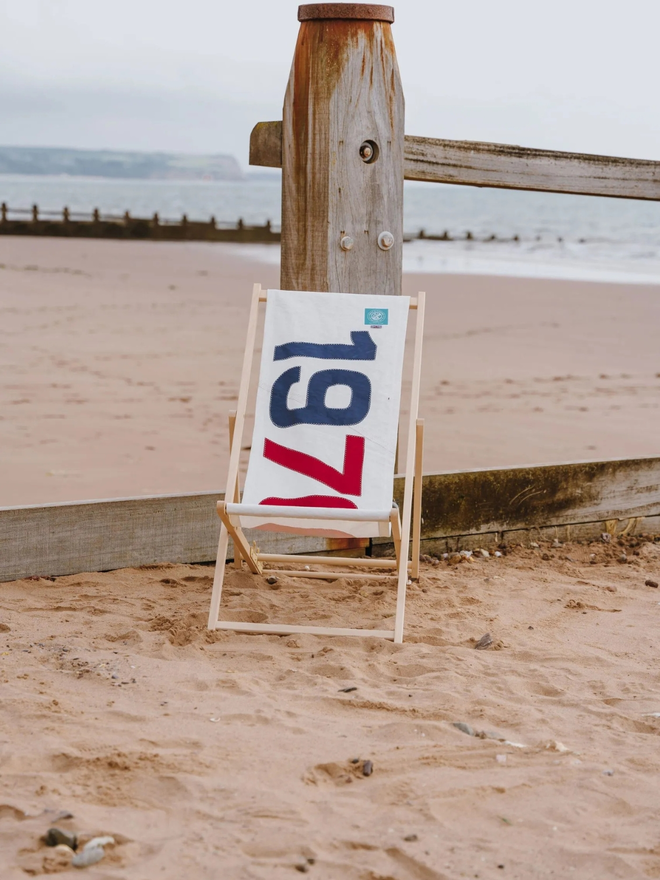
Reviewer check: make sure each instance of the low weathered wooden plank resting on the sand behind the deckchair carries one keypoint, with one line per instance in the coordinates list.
(478, 506)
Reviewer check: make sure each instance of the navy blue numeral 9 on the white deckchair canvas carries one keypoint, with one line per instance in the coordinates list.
(316, 412)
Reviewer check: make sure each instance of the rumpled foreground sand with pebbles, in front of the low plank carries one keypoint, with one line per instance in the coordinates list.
(225, 755)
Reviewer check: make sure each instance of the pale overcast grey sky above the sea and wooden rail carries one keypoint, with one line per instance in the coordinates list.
(195, 75)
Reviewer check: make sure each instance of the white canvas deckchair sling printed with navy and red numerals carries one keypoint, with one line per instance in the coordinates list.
(327, 409)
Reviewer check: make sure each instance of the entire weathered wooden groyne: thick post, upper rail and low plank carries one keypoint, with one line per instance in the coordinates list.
(335, 188)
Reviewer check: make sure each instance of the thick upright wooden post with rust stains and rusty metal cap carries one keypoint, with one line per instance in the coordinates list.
(342, 153)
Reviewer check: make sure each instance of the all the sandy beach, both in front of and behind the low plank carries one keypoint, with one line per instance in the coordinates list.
(219, 754)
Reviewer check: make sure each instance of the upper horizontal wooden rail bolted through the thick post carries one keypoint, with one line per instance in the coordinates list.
(502, 166)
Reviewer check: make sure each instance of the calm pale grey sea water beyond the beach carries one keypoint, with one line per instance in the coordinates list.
(560, 236)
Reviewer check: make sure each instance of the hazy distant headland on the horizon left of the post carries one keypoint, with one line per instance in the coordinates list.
(118, 164)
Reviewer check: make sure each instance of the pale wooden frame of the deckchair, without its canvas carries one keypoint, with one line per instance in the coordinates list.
(404, 526)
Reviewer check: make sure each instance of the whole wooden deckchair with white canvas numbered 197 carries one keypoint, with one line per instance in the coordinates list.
(324, 444)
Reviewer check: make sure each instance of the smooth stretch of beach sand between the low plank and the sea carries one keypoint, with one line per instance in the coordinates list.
(119, 362)
